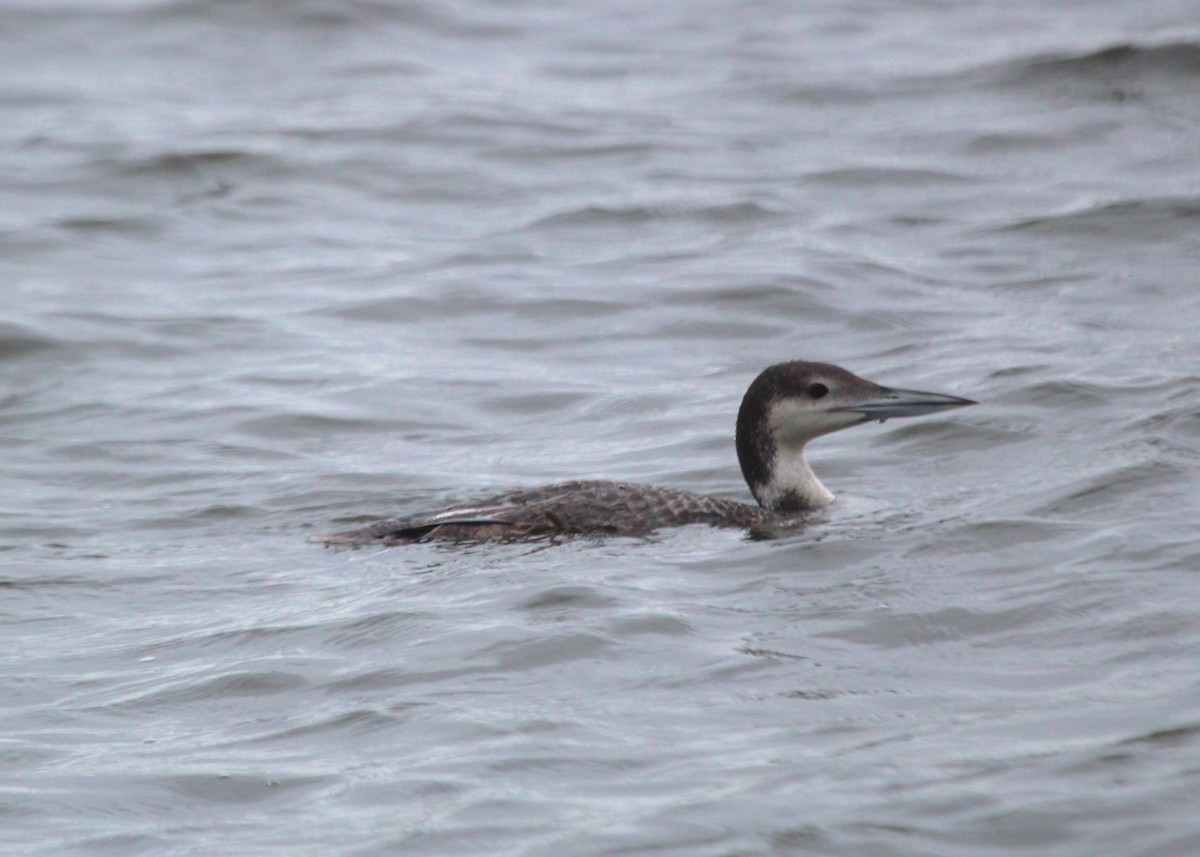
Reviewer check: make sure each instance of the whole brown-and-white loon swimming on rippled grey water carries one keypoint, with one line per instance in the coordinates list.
(787, 406)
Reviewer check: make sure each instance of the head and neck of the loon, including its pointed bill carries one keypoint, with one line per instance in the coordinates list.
(790, 404)
